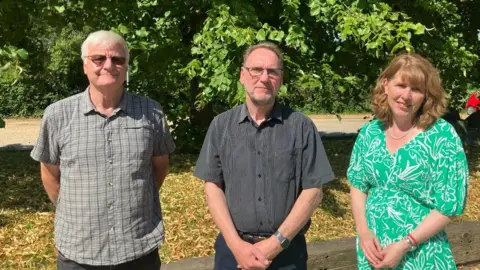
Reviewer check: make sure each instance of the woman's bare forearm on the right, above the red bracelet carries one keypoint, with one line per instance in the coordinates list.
(432, 224)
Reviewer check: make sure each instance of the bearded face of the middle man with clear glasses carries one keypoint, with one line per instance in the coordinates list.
(262, 89)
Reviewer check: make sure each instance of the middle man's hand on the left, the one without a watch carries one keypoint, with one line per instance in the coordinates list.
(249, 257)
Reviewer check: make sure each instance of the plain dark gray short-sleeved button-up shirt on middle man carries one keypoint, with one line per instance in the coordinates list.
(263, 168)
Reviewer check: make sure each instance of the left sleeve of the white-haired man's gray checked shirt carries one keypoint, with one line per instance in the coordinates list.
(47, 148)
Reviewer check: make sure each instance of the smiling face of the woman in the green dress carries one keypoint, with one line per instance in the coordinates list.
(403, 99)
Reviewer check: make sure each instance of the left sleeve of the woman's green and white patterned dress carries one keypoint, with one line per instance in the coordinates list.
(356, 171)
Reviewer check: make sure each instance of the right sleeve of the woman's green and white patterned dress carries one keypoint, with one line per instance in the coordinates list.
(451, 181)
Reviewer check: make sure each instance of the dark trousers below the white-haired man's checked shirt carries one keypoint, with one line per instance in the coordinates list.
(151, 261)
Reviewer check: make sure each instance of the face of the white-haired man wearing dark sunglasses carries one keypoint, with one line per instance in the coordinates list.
(107, 74)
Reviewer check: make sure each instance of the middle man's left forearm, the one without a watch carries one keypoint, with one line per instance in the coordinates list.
(217, 205)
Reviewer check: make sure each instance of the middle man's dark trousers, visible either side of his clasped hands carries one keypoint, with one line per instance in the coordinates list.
(293, 258)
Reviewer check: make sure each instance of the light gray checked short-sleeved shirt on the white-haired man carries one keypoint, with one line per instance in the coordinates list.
(108, 209)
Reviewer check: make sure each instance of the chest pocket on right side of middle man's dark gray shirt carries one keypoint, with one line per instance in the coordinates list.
(285, 164)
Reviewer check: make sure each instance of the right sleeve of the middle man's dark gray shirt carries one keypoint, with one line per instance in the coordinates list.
(316, 169)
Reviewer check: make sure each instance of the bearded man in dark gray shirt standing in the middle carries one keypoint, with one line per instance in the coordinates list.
(264, 166)
